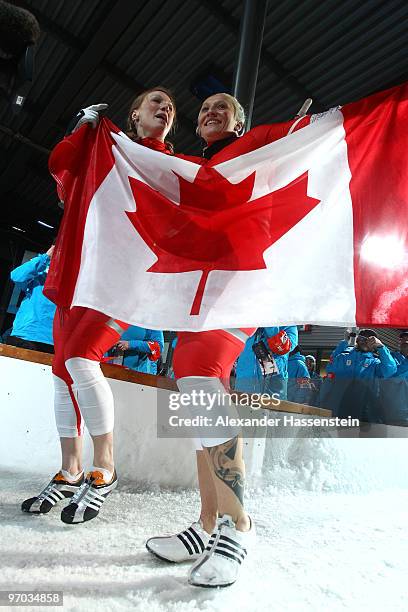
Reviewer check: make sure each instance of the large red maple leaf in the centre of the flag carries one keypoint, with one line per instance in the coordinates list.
(215, 227)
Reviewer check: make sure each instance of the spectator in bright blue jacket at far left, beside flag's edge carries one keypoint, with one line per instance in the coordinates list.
(32, 327)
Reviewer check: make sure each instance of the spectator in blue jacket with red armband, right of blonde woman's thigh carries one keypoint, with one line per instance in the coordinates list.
(270, 377)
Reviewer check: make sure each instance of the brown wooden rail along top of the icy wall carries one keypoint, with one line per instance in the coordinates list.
(118, 372)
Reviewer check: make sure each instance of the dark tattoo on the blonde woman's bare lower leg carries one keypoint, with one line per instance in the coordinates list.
(223, 461)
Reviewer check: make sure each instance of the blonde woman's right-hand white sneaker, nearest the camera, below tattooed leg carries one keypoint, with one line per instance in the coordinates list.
(220, 563)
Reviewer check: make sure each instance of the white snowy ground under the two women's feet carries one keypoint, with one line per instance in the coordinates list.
(316, 552)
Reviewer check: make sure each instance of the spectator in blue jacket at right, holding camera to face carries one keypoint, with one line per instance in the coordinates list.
(354, 376)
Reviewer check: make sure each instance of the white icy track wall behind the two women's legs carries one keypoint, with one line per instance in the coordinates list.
(30, 443)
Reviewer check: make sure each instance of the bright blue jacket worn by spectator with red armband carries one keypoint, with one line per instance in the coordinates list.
(249, 376)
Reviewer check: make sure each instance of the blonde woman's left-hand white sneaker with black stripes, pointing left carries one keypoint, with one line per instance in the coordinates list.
(184, 546)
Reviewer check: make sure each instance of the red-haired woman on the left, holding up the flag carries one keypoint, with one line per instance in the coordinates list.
(81, 337)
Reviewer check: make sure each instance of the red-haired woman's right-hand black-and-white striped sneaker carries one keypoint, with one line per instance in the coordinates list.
(87, 501)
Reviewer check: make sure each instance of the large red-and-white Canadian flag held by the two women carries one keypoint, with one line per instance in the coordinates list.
(312, 228)
